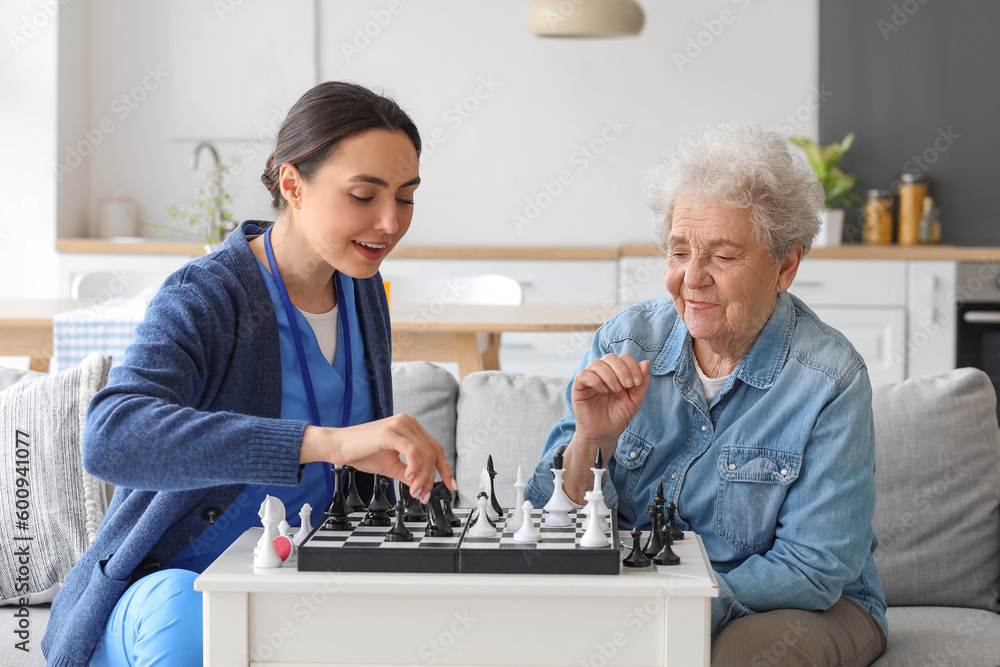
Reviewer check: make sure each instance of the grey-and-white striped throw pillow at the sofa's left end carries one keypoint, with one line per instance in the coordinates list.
(54, 507)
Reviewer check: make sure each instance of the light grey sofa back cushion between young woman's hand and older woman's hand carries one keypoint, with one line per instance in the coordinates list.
(508, 416)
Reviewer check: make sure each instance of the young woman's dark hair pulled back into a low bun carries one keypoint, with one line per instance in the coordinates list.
(320, 120)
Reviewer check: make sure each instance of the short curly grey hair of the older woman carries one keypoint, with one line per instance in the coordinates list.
(747, 167)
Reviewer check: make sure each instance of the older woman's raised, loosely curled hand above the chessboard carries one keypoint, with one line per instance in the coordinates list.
(606, 395)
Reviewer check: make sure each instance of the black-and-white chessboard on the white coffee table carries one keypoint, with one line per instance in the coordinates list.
(365, 549)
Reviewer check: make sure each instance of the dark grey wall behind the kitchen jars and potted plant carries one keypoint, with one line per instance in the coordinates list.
(918, 78)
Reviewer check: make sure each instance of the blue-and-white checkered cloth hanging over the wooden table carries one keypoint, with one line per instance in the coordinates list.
(107, 327)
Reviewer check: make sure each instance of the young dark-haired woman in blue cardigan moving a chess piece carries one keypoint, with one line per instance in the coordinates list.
(255, 368)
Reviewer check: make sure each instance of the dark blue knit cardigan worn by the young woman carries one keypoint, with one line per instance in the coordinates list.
(189, 419)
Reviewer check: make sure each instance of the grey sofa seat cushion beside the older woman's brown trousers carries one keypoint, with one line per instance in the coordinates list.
(941, 636)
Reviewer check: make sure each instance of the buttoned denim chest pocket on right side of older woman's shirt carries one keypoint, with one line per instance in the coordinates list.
(753, 482)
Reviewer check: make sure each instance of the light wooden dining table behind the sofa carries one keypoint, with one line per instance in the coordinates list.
(428, 332)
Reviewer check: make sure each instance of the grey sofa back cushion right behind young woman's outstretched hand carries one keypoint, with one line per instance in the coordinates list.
(429, 393)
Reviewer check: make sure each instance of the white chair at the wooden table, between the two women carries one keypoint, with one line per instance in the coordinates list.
(485, 289)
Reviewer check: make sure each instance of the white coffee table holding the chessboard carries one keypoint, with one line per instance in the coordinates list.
(639, 618)
